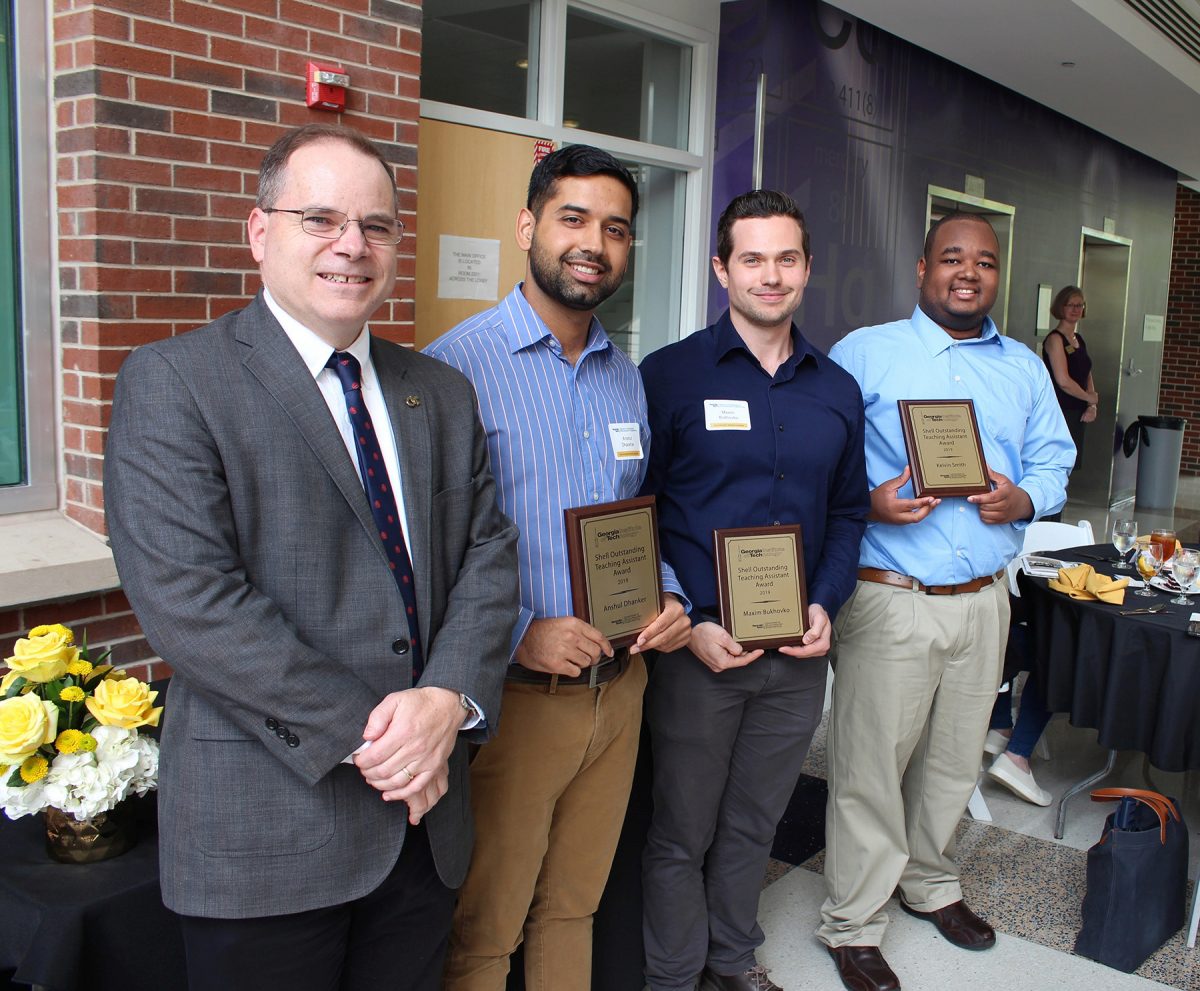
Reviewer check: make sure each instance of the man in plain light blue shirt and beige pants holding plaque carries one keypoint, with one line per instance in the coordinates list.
(921, 642)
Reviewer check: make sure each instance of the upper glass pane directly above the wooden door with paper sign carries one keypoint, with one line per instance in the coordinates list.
(482, 55)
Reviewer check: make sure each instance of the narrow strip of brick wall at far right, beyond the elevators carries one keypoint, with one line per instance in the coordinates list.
(1180, 388)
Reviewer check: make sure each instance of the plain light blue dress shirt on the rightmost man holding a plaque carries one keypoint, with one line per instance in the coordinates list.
(1021, 424)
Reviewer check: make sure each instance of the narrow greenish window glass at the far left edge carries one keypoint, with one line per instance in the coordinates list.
(11, 447)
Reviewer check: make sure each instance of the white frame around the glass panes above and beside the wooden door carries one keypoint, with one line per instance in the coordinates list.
(695, 161)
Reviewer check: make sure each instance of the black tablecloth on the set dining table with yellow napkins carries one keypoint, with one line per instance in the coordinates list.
(1133, 678)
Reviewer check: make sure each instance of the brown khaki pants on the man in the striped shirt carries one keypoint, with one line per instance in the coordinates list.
(549, 796)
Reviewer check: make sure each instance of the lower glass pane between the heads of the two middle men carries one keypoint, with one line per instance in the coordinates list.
(644, 315)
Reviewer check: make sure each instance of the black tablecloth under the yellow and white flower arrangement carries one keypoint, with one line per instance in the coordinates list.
(89, 927)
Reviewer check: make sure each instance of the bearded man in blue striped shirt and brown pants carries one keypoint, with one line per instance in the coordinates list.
(567, 427)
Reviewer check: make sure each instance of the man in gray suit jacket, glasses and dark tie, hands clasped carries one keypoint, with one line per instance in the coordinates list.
(332, 664)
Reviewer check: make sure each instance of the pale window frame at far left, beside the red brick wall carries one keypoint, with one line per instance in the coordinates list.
(39, 338)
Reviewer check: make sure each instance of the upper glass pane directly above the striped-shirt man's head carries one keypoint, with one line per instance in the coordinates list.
(625, 82)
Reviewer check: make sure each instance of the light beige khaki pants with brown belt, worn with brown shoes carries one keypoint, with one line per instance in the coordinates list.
(915, 682)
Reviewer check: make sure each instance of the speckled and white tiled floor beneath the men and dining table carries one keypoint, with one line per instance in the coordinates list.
(1028, 884)
